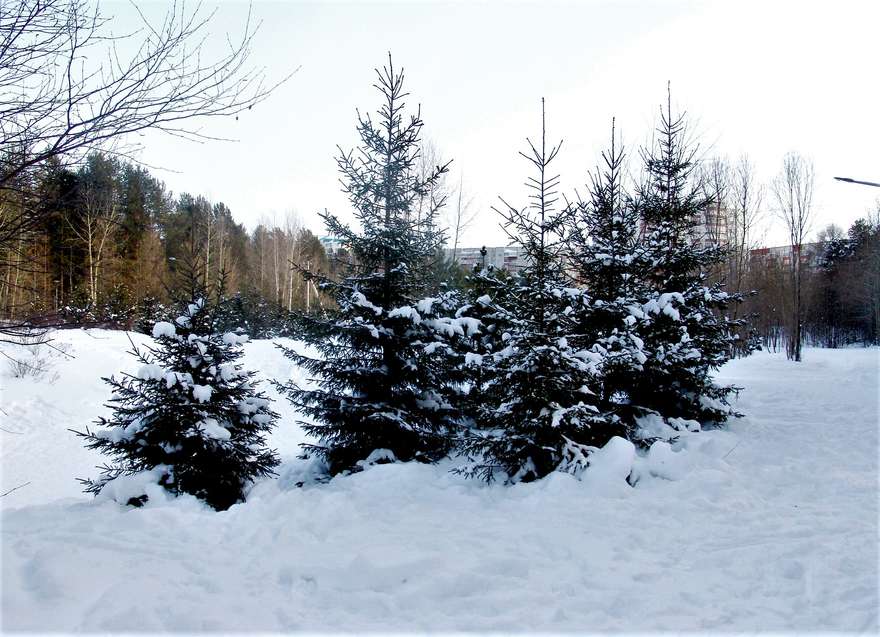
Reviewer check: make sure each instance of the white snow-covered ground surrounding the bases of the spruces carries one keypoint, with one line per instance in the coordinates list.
(770, 526)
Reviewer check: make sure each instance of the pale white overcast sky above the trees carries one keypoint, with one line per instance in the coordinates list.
(762, 78)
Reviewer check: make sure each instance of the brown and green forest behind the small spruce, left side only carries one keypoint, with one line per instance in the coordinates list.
(110, 237)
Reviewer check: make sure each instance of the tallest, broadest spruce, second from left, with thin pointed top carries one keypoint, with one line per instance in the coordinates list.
(382, 389)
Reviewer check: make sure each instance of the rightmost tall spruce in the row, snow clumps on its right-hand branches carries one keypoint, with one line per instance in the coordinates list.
(685, 330)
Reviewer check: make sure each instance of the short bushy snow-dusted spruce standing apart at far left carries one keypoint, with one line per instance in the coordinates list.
(190, 420)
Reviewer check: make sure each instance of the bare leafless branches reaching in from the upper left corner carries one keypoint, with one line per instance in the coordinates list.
(67, 87)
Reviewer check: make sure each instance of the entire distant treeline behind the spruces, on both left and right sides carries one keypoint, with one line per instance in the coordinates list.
(110, 239)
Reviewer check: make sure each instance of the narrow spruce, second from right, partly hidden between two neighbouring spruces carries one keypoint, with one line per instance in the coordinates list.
(605, 253)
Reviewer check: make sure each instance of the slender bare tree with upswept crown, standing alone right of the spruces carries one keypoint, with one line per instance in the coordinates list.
(793, 193)
